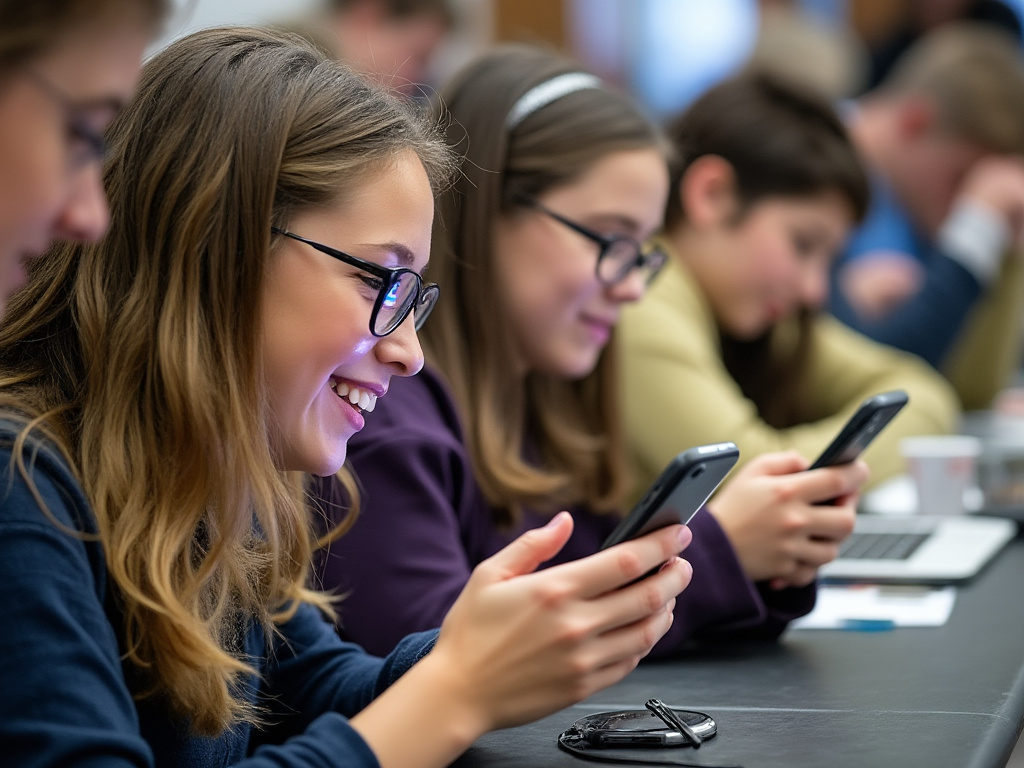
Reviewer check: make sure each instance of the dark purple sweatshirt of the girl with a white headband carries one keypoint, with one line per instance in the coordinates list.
(424, 525)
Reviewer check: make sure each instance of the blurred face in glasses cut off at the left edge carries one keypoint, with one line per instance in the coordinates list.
(67, 68)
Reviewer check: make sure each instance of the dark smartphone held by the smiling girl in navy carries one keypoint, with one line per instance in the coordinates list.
(679, 492)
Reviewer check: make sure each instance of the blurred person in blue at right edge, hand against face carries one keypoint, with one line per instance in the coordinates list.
(934, 269)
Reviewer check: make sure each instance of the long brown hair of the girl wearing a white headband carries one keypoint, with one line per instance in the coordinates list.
(544, 443)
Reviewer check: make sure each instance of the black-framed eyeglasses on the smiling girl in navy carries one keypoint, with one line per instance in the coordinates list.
(400, 291)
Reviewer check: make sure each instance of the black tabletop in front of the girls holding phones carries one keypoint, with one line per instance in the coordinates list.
(944, 697)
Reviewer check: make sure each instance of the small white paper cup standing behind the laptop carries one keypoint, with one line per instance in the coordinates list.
(945, 471)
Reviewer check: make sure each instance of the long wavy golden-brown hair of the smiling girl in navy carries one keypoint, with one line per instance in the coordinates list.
(141, 356)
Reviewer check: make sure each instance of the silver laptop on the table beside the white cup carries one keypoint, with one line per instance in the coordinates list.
(919, 549)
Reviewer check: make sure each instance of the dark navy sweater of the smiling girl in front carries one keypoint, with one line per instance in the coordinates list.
(67, 698)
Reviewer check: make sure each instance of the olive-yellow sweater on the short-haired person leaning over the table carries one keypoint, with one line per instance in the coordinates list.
(677, 393)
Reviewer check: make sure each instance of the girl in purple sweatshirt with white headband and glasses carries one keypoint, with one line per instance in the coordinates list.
(539, 245)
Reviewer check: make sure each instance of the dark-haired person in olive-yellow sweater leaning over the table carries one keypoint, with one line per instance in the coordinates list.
(732, 343)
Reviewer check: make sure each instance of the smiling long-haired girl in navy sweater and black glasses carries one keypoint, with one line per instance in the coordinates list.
(165, 395)
